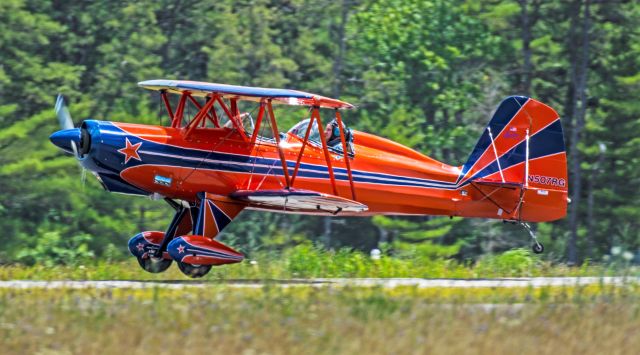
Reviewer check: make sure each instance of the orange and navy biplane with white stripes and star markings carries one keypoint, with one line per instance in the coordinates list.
(211, 165)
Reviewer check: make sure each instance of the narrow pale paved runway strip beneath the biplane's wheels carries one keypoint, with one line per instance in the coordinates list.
(386, 283)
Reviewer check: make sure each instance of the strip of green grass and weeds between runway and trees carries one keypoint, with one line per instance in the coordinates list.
(306, 261)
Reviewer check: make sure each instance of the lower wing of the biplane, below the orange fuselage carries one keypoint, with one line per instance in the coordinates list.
(298, 201)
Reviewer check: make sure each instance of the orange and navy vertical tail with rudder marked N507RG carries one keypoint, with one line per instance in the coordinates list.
(523, 145)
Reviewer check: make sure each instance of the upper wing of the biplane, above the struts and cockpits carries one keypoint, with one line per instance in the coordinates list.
(285, 96)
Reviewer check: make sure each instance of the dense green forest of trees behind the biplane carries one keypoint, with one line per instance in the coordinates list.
(425, 73)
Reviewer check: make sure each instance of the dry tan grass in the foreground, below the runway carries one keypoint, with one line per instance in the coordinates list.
(275, 320)
